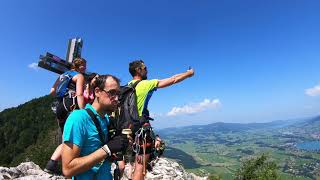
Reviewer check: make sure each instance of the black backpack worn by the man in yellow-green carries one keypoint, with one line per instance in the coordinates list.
(127, 116)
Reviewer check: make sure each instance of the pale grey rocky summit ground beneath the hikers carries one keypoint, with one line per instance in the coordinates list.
(162, 169)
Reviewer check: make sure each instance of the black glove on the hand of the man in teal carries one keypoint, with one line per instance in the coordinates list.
(118, 143)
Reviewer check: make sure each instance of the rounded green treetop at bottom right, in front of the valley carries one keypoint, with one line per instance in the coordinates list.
(260, 167)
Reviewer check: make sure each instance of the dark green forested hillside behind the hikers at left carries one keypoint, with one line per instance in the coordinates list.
(28, 132)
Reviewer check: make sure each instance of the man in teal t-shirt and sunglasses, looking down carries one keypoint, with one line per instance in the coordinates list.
(83, 153)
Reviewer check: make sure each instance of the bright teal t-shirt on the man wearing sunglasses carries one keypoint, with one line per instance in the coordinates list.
(81, 131)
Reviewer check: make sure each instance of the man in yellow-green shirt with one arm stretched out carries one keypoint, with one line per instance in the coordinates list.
(144, 91)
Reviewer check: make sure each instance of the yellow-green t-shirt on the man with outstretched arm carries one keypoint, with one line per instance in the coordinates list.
(144, 91)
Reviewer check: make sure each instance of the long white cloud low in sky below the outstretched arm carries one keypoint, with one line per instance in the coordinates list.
(195, 107)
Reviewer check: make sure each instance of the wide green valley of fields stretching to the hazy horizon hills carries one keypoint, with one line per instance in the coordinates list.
(220, 148)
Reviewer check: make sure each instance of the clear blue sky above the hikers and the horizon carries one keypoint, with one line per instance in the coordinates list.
(255, 61)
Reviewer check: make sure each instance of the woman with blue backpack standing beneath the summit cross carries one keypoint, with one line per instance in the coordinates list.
(68, 89)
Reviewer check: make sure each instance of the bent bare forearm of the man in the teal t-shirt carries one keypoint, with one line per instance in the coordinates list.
(72, 164)
